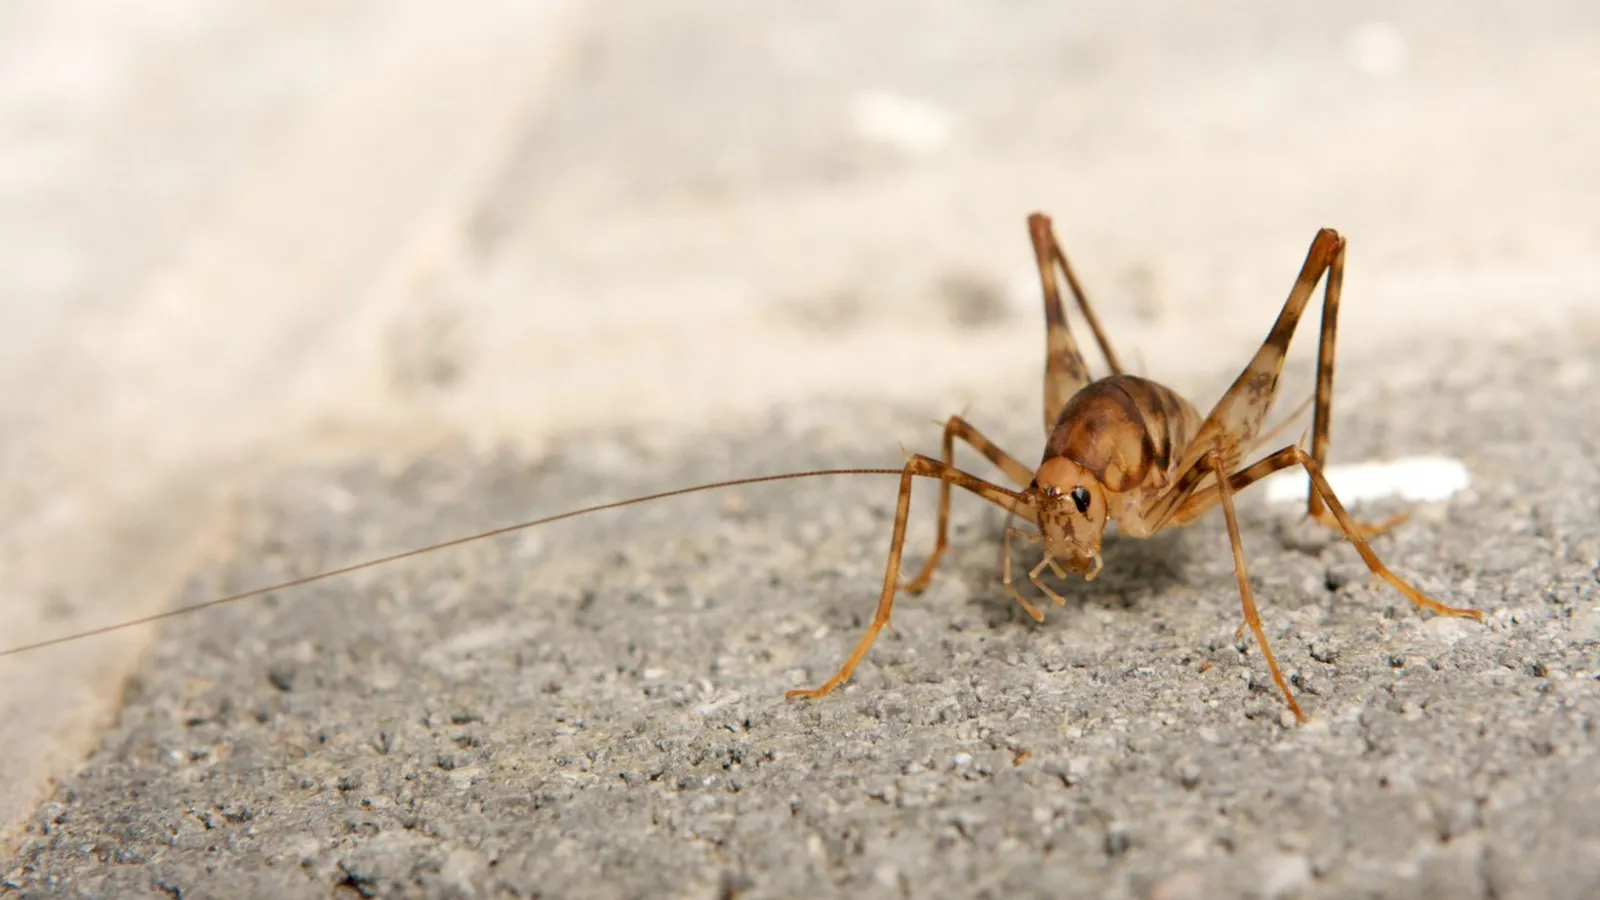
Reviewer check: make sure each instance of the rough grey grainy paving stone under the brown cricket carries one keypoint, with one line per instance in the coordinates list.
(596, 709)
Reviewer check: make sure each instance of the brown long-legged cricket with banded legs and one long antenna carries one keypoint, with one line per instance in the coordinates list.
(1121, 449)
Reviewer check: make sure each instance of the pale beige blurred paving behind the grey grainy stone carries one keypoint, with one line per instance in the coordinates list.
(236, 236)
